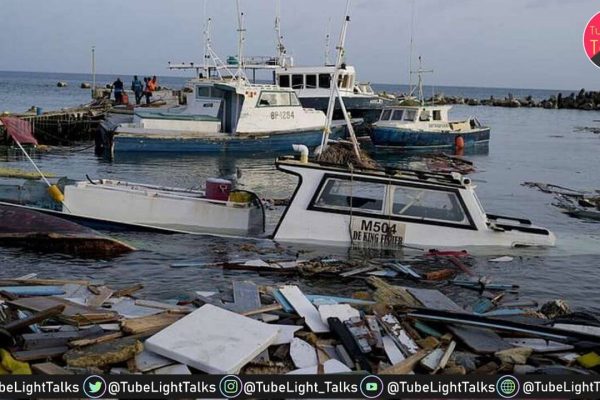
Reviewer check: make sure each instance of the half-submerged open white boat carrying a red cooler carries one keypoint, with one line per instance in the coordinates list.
(111, 204)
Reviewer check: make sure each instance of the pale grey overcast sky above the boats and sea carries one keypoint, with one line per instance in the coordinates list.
(494, 43)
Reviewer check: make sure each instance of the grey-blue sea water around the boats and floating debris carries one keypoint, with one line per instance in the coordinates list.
(527, 145)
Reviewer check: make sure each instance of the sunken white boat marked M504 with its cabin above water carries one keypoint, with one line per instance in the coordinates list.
(373, 208)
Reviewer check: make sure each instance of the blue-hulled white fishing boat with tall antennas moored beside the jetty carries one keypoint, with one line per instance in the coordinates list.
(224, 113)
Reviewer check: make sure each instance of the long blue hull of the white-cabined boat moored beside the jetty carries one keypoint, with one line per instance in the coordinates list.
(278, 142)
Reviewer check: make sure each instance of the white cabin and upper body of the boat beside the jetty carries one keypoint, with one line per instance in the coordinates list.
(230, 108)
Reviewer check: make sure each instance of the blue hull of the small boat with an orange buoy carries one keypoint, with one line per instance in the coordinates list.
(386, 137)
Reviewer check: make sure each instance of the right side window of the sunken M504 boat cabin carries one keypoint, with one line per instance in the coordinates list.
(428, 204)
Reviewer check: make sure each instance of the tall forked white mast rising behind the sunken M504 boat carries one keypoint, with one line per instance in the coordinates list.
(335, 91)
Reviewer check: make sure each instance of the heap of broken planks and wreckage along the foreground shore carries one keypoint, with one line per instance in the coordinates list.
(62, 326)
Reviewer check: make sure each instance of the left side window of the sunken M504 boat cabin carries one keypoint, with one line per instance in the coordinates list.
(343, 194)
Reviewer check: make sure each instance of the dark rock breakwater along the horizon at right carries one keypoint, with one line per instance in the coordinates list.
(583, 100)
